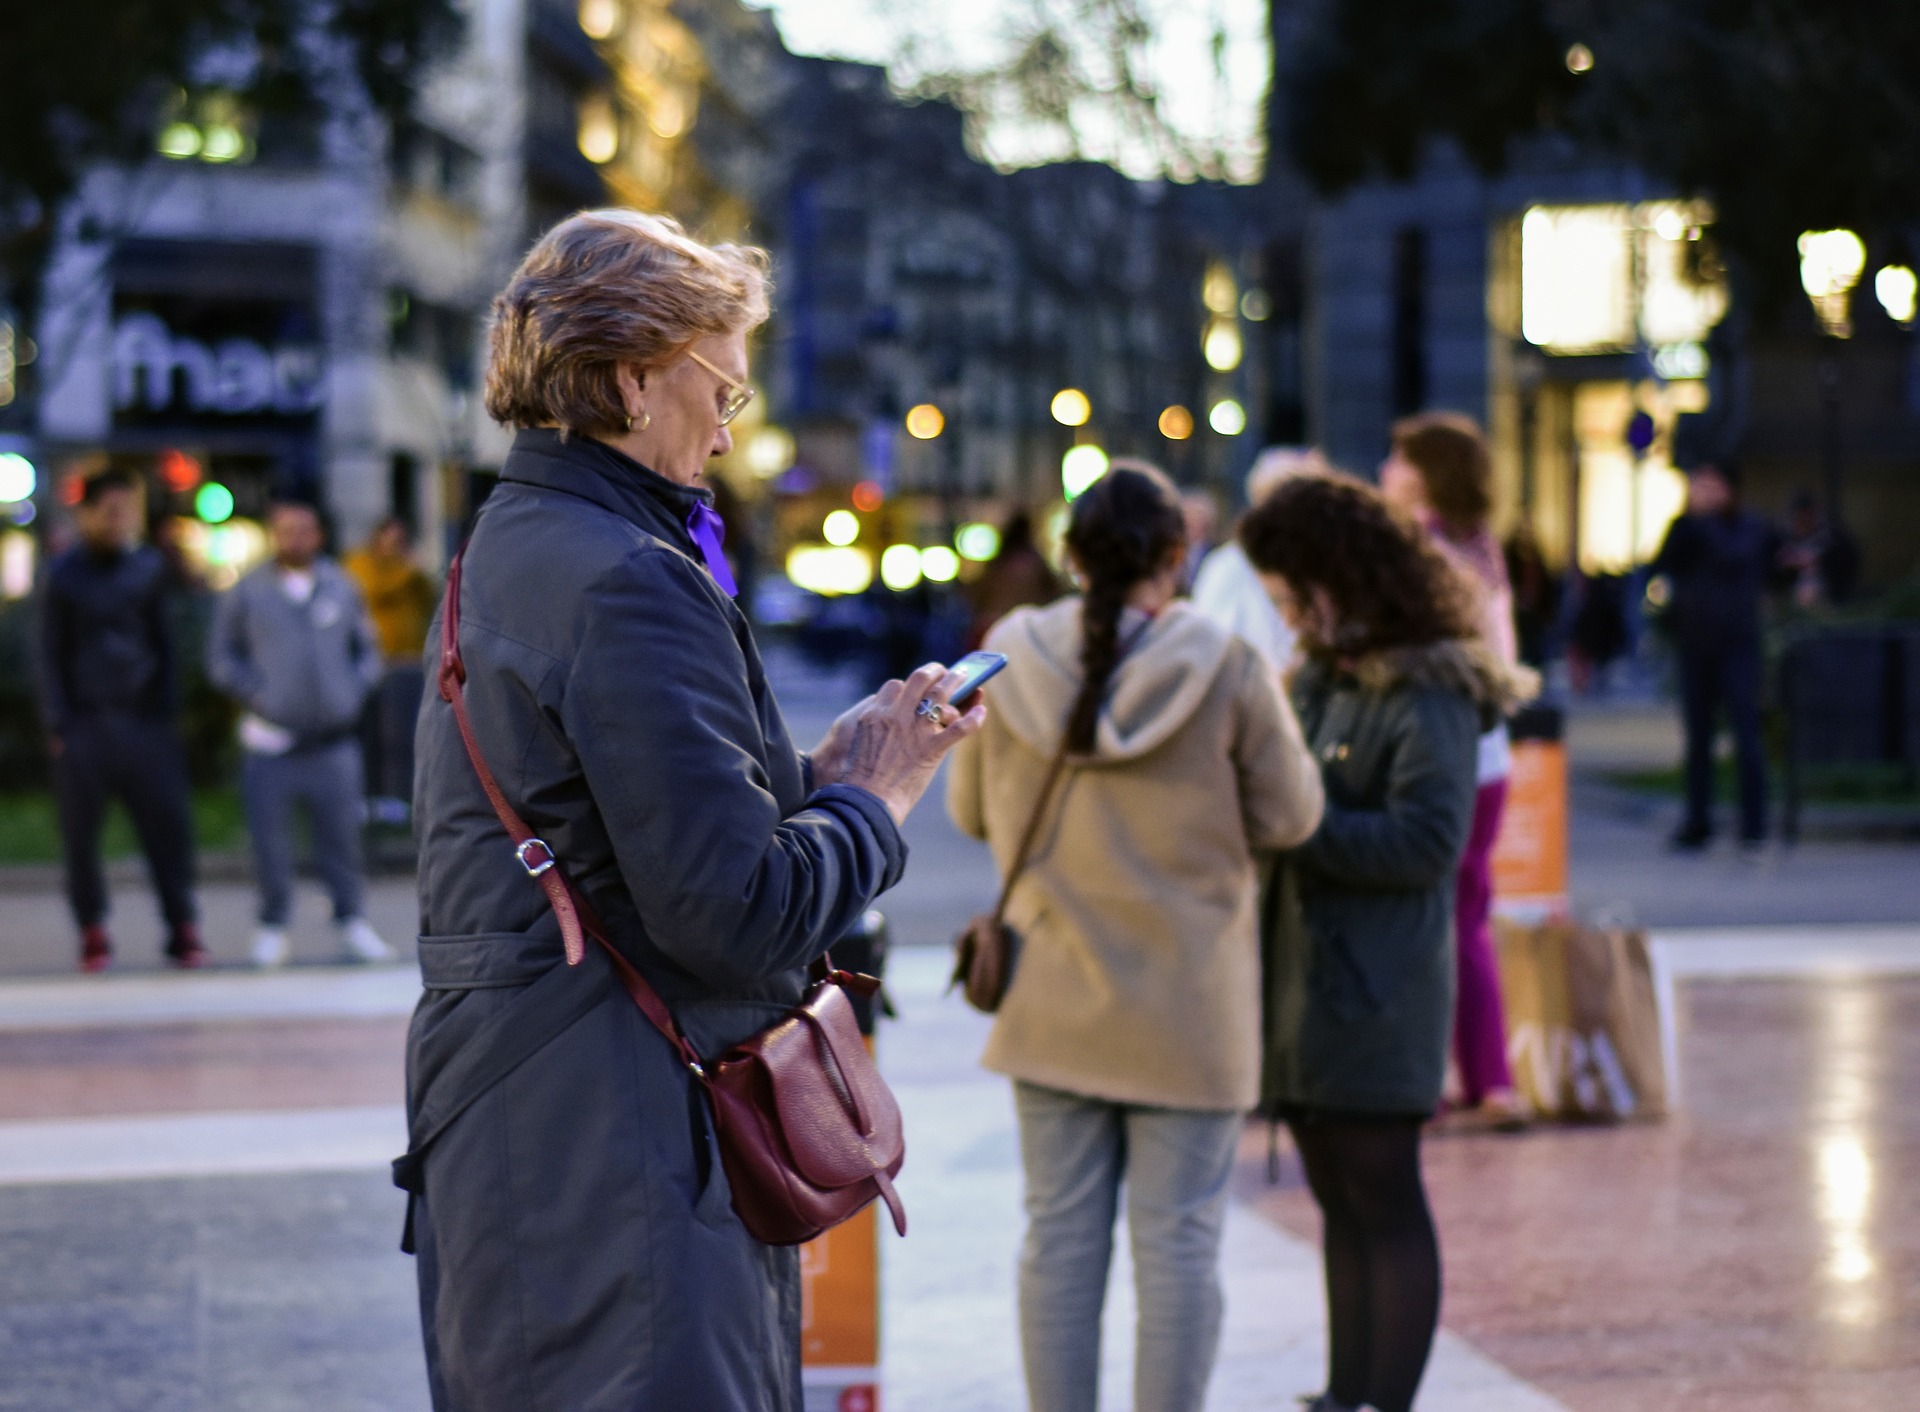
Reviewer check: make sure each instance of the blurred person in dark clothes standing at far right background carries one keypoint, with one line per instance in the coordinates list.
(1719, 560)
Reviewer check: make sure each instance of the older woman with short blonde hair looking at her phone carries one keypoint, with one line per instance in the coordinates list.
(575, 1229)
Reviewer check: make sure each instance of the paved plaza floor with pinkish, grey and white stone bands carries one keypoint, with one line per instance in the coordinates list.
(195, 1209)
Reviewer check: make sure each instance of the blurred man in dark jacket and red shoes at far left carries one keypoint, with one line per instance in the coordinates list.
(110, 694)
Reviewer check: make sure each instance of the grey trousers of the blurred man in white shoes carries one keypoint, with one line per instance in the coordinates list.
(327, 781)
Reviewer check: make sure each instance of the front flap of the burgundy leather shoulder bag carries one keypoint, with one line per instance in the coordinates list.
(825, 1088)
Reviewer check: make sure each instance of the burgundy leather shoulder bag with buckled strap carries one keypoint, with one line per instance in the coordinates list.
(809, 1131)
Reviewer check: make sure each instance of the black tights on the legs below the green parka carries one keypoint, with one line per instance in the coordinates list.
(1383, 1255)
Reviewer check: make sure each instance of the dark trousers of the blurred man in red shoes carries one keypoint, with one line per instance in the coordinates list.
(141, 762)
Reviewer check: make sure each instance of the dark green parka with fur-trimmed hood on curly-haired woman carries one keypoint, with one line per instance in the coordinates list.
(1360, 919)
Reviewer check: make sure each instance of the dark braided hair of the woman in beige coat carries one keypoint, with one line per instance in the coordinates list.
(1120, 533)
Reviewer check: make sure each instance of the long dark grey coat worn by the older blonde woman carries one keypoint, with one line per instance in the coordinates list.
(577, 1244)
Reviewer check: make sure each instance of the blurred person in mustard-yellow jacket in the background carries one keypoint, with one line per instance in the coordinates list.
(400, 600)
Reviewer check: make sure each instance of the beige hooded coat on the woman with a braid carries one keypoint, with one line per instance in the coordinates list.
(1140, 975)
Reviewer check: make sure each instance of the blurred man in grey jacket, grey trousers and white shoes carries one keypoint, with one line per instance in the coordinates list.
(293, 645)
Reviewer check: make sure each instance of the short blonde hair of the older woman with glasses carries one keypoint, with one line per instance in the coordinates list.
(606, 289)
